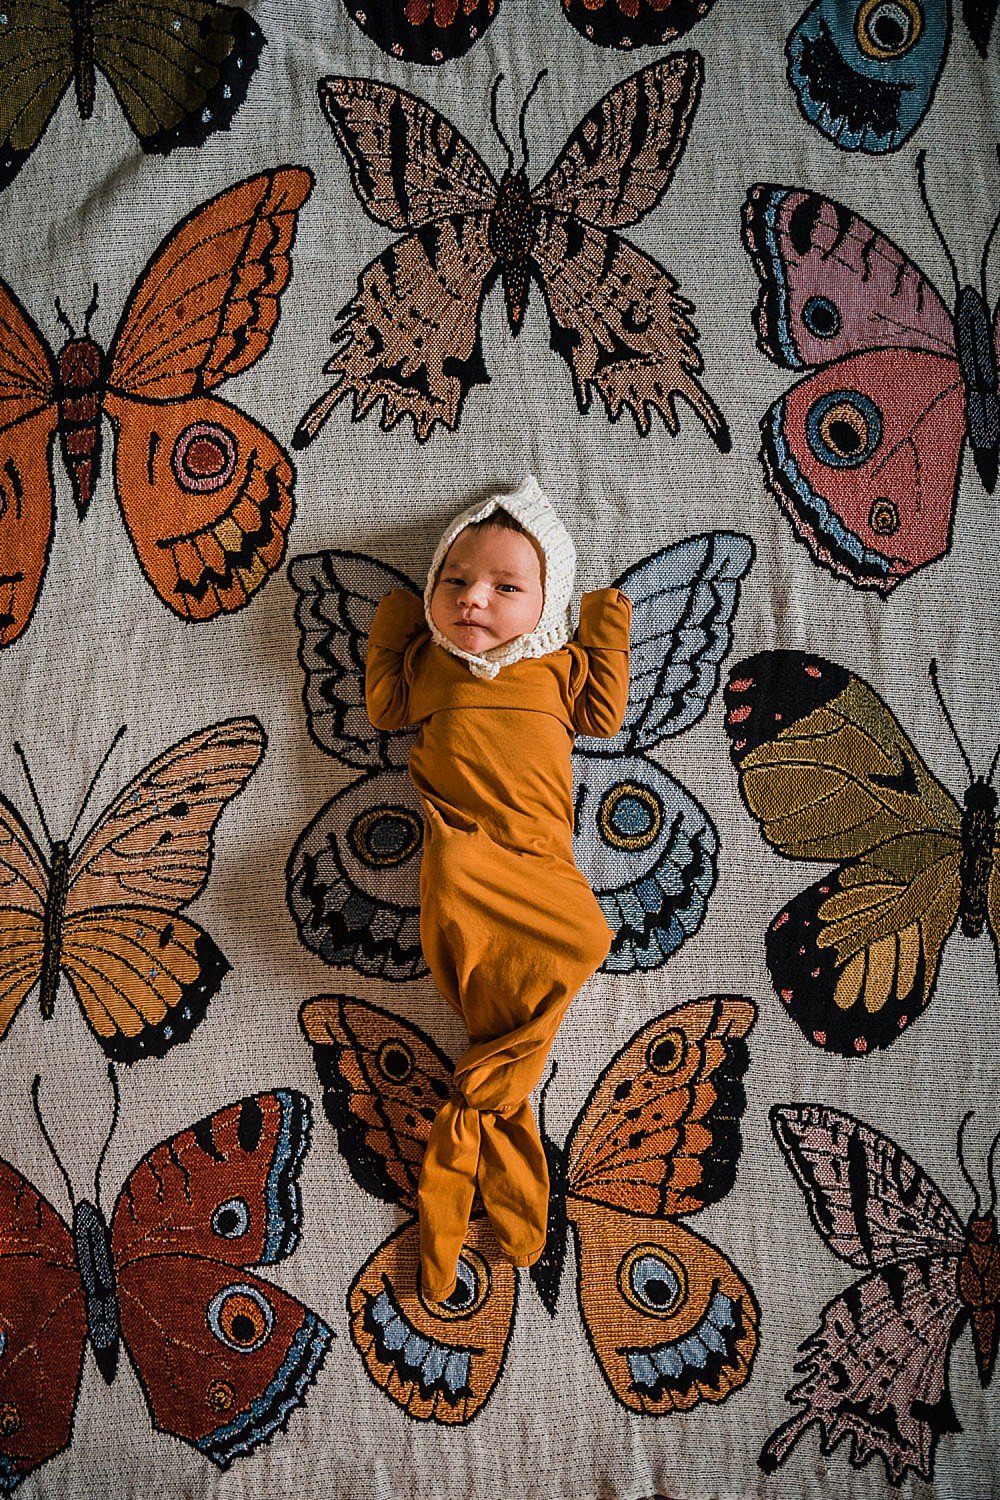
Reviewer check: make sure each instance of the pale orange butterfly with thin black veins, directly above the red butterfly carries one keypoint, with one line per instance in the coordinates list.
(107, 914)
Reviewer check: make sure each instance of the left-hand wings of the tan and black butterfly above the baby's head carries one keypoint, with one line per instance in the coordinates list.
(412, 335)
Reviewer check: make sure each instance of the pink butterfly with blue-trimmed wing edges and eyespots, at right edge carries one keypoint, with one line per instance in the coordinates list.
(864, 455)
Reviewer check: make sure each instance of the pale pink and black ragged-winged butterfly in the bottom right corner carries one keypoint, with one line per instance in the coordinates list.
(876, 1370)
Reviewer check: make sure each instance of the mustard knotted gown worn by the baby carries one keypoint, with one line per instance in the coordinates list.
(509, 926)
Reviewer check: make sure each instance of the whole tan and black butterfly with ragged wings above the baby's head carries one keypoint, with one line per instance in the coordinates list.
(412, 338)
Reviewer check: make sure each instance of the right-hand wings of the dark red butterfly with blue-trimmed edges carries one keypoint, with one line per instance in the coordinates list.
(224, 1358)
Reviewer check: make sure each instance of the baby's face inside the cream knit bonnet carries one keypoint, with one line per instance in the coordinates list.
(490, 590)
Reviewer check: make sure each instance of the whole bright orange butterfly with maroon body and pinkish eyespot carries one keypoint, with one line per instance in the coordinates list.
(206, 494)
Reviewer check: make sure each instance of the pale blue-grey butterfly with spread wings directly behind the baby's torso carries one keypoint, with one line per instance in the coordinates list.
(641, 839)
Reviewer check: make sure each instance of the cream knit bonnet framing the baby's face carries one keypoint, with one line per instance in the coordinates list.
(537, 517)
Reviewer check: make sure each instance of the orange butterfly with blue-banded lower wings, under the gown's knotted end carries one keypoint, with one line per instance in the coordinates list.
(668, 1316)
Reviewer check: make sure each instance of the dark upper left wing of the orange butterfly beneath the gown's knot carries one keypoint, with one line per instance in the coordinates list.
(385, 1082)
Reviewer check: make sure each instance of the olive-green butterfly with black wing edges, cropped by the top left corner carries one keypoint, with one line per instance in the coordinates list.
(179, 68)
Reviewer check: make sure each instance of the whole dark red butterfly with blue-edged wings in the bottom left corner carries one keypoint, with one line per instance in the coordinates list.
(223, 1357)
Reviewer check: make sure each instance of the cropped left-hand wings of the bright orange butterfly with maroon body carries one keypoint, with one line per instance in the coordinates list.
(28, 430)
